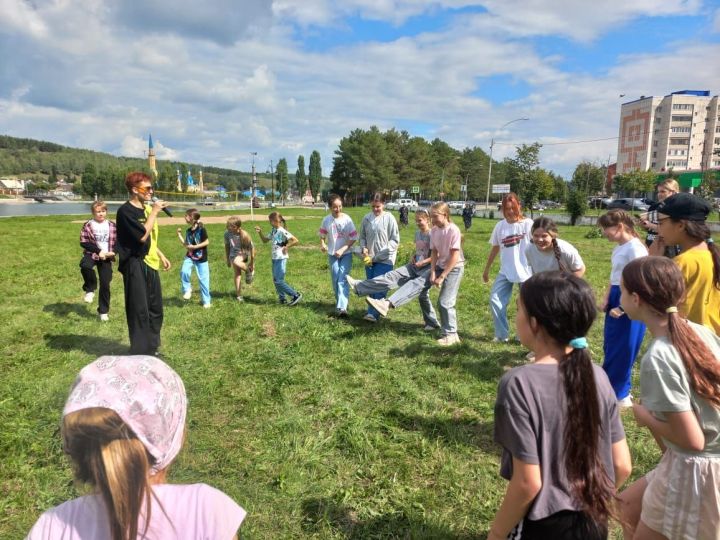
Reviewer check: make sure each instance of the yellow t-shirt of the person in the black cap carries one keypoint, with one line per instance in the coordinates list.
(702, 304)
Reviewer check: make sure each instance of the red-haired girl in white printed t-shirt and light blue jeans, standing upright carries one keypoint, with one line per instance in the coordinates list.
(510, 238)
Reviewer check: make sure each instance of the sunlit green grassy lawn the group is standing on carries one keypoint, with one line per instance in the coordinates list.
(320, 428)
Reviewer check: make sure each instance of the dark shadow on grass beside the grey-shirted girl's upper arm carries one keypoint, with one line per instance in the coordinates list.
(463, 430)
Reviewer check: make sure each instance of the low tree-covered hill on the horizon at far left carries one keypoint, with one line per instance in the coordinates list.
(42, 160)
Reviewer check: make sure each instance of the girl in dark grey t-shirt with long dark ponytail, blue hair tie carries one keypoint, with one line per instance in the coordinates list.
(564, 448)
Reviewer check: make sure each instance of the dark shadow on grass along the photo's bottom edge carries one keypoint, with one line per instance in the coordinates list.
(321, 514)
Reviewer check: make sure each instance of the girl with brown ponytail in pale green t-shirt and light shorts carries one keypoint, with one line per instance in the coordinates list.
(680, 391)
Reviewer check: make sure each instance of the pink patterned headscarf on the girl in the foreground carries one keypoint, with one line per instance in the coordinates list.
(145, 393)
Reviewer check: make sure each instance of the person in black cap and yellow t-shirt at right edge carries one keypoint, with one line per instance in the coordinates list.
(681, 220)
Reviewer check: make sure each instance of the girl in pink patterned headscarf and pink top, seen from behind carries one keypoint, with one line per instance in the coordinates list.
(122, 427)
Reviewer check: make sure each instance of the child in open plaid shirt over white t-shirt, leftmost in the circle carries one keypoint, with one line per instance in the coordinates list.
(97, 238)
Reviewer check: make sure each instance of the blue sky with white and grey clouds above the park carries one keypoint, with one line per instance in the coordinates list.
(217, 80)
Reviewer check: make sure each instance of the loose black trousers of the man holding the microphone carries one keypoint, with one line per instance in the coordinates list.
(143, 306)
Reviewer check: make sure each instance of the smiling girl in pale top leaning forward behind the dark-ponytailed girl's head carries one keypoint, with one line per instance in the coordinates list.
(548, 252)
